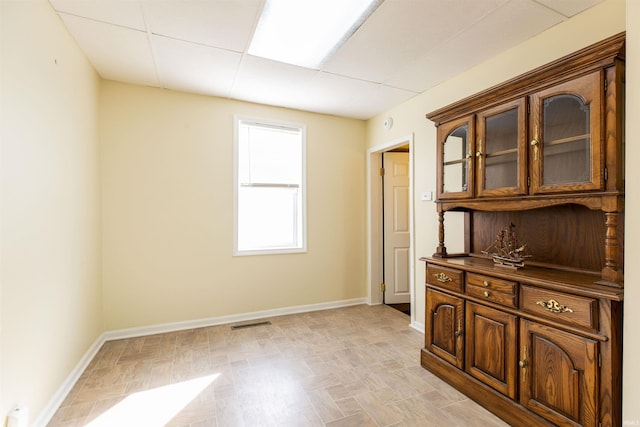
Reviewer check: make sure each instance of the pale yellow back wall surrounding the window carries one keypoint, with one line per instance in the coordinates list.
(167, 163)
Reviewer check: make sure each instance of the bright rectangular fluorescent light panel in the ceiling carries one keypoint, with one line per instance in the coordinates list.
(307, 32)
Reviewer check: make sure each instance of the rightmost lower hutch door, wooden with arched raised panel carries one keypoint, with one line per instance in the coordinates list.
(558, 375)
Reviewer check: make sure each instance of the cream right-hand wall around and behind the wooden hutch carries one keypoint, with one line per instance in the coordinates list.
(597, 23)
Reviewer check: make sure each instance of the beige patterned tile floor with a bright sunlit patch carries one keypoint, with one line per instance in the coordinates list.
(354, 366)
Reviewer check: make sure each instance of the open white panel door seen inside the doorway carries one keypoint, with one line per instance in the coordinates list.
(396, 227)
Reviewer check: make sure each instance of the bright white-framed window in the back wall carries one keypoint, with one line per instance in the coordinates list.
(269, 187)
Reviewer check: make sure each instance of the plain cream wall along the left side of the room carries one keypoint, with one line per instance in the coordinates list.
(50, 254)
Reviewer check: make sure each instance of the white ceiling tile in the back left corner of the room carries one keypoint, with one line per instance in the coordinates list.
(117, 53)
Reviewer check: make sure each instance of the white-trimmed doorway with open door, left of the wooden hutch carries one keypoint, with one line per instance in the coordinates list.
(380, 292)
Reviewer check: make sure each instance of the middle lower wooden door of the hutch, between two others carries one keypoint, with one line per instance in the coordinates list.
(491, 347)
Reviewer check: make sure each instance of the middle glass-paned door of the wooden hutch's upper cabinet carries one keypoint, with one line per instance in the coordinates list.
(501, 151)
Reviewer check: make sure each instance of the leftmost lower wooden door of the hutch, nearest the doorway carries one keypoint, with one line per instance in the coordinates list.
(444, 335)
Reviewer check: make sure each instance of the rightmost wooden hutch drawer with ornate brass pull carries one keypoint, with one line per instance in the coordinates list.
(566, 308)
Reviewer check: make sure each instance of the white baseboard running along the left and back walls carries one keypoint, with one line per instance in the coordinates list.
(57, 399)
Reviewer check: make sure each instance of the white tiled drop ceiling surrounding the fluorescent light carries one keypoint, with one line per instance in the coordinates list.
(403, 49)
